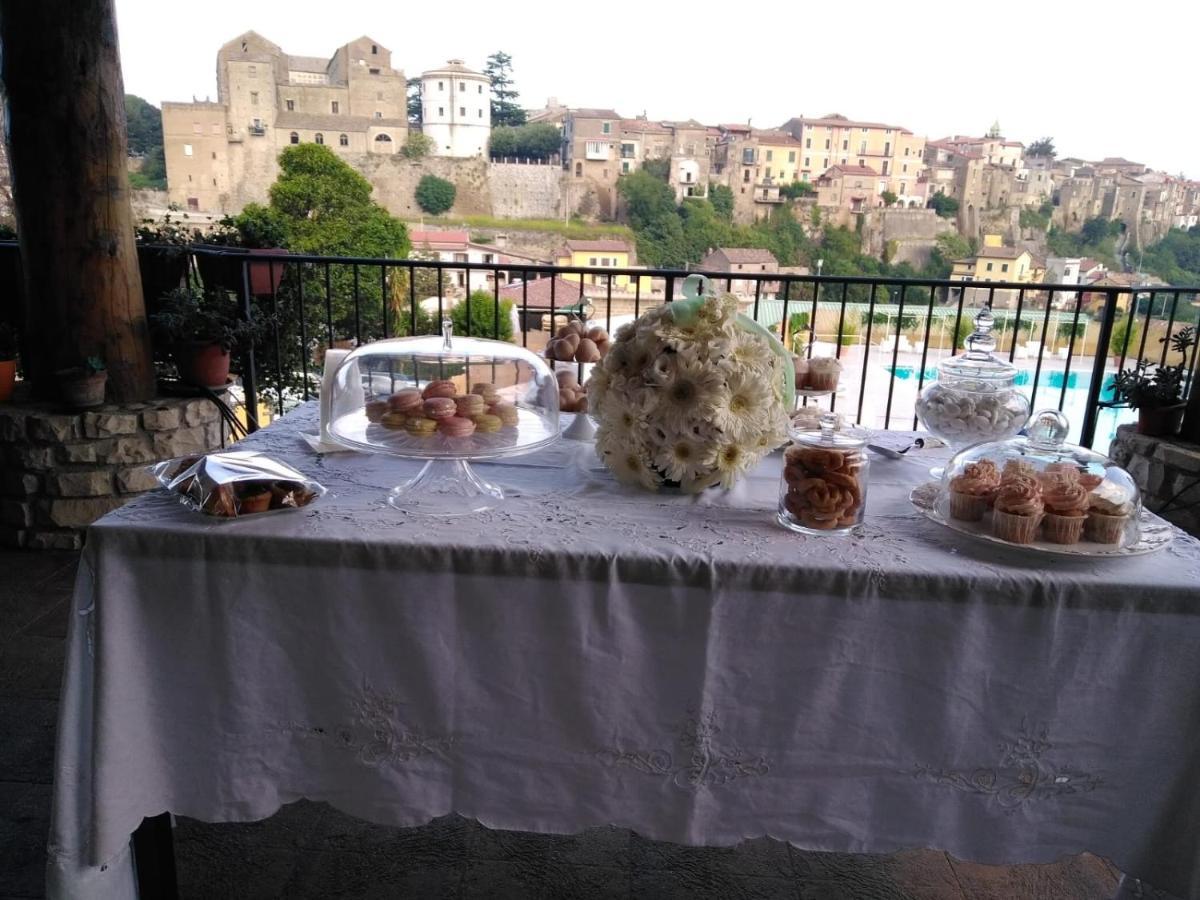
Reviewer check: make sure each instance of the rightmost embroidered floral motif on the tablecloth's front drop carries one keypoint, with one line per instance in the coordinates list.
(1022, 776)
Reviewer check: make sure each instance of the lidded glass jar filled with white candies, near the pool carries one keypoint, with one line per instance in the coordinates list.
(974, 398)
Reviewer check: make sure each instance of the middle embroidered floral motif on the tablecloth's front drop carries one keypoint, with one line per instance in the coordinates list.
(703, 764)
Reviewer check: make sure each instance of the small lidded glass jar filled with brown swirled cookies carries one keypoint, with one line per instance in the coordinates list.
(824, 487)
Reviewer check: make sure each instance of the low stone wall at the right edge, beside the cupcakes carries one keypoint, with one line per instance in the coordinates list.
(1167, 472)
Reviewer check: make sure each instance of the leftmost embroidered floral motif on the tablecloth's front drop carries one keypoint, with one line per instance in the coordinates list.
(376, 736)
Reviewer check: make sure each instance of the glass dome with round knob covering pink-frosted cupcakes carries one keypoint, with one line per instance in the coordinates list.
(1040, 490)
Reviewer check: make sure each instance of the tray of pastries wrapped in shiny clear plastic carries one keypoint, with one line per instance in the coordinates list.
(237, 483)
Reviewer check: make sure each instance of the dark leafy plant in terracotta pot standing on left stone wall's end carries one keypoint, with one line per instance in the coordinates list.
(202, 329)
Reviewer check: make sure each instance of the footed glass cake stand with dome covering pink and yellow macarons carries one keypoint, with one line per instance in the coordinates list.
(448, 400)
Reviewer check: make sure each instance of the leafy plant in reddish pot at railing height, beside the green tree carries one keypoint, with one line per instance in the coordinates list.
(256, 232)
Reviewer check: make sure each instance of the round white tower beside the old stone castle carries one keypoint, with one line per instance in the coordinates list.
(457, 110)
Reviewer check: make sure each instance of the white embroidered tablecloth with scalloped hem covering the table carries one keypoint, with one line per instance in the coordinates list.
(587, 655)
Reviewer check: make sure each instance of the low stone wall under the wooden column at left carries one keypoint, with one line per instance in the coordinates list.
(61, 472)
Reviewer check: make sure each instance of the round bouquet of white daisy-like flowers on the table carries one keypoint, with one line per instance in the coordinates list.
(691, 394)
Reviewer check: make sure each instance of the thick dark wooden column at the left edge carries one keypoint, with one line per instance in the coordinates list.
(62, 79)
